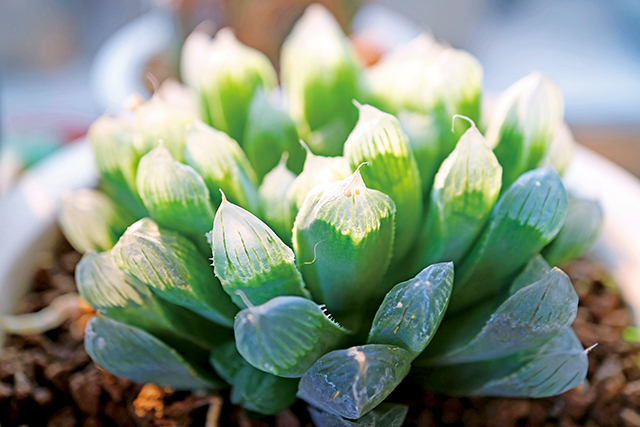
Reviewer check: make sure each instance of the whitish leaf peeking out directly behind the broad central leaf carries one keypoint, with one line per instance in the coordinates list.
(317, 170)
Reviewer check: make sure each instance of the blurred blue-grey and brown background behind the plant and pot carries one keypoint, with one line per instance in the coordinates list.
(58, 73)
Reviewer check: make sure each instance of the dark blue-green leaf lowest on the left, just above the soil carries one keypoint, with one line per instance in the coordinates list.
(131, 353)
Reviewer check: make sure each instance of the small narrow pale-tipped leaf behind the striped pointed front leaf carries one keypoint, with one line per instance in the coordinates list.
(273, 200)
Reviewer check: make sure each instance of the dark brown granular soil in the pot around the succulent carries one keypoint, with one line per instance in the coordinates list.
(48, 379)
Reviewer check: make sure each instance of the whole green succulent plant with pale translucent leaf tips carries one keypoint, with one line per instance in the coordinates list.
(398, 249)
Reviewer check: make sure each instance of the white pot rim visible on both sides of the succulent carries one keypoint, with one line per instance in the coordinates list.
(28, 215)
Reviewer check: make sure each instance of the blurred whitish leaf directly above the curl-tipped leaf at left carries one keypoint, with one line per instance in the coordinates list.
(158, 122)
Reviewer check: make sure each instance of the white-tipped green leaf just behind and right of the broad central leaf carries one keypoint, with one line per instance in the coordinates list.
(379, 140)
